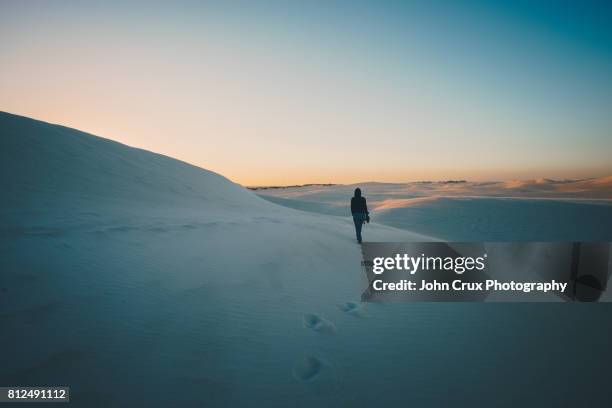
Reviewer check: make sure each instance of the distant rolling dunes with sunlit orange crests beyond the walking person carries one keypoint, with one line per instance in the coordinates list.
(528, 210)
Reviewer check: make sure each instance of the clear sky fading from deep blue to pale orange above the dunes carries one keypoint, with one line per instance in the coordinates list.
(277, 93)
